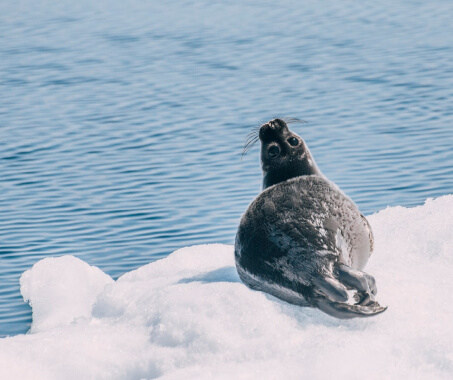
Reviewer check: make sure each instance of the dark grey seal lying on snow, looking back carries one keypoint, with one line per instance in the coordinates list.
(302, 239)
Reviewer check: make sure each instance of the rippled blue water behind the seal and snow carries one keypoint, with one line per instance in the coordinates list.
(122, 123)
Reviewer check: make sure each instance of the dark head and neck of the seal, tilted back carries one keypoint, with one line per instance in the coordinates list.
(284, 154)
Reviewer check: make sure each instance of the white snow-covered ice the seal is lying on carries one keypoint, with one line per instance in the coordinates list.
(188, 316)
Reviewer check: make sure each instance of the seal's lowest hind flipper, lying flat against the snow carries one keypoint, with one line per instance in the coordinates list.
(346, 311)
